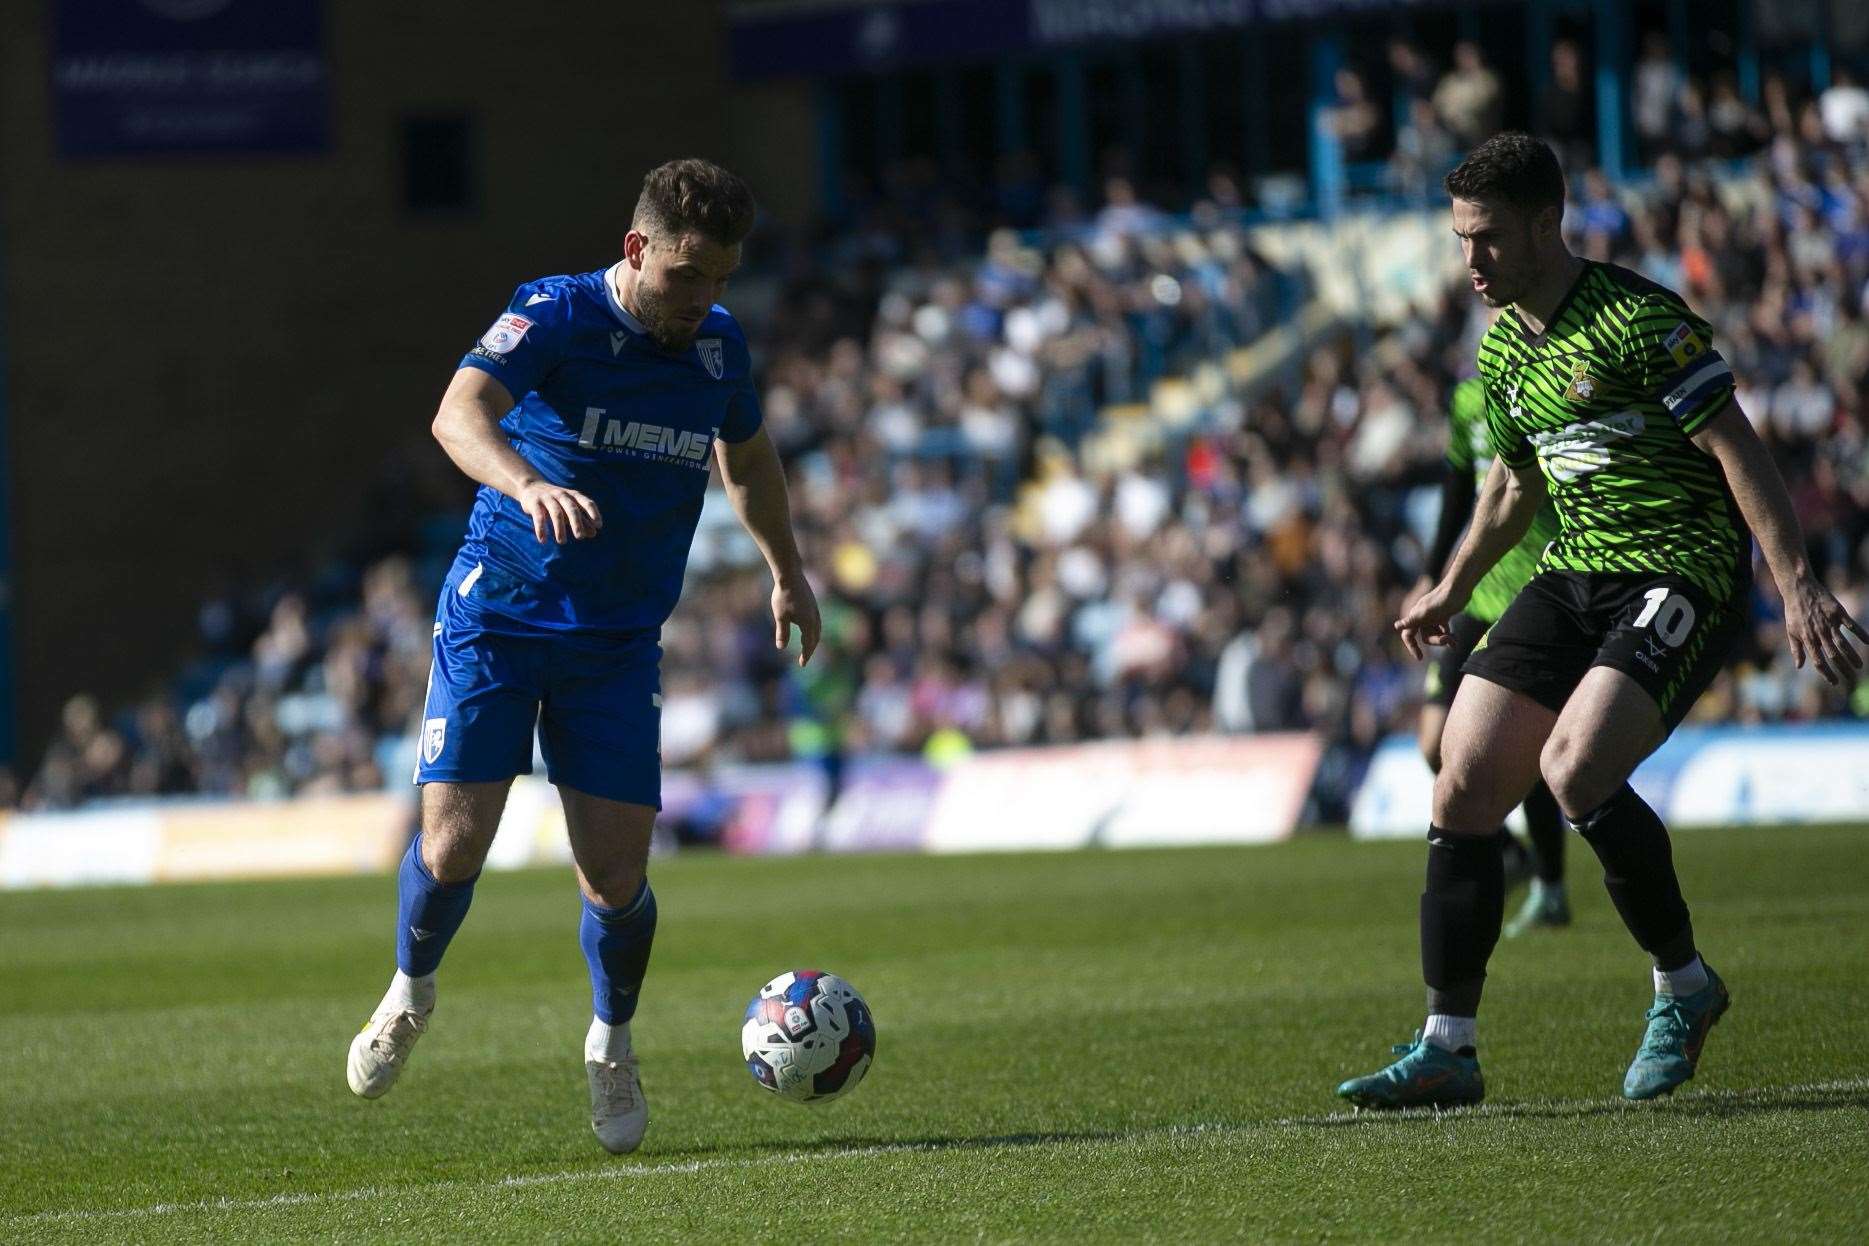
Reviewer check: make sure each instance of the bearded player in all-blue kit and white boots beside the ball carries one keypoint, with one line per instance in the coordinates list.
(588, 414)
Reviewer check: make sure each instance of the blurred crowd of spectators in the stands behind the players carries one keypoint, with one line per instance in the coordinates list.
(992, 576)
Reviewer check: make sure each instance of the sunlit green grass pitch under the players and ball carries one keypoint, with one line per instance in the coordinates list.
(1100, 1047)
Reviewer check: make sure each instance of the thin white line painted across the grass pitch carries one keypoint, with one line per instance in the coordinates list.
(578, 1176)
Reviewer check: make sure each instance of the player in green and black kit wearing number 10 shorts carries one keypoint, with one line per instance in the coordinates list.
(1606, 395)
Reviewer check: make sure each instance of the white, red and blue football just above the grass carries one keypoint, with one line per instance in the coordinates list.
(808, 1038)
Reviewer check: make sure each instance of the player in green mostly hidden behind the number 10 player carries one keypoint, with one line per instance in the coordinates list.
(1470, 455)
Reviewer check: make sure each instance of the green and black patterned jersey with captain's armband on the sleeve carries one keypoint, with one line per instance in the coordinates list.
(1606, 403)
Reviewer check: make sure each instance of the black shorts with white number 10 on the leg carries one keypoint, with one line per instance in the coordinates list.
(1661, 630)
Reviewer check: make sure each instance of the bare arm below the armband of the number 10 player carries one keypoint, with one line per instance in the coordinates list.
(1816, 623)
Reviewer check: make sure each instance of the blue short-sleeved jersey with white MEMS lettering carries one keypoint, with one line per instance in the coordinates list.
(606, 412)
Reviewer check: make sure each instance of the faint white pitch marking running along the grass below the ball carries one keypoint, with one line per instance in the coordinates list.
(1814, 1096)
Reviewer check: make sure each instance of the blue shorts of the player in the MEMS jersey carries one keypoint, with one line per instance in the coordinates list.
(597, 705)
